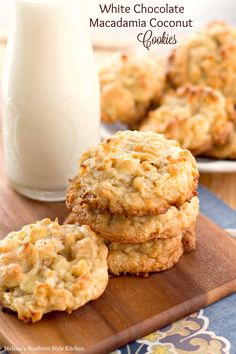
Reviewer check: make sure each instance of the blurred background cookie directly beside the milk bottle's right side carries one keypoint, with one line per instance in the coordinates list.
(129, 85)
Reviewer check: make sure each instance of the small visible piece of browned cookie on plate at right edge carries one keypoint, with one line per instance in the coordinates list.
(227, 151)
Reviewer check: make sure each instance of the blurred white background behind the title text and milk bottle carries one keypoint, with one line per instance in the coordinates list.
(107, 40)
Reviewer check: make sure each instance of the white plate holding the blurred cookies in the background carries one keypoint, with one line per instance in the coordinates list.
(204, 164)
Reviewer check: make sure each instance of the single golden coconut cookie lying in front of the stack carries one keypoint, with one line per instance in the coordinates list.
(46, 267)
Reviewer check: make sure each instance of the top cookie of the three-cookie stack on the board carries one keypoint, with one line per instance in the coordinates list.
(136, 174)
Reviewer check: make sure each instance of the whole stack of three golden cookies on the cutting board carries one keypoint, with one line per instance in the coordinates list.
(137, 190)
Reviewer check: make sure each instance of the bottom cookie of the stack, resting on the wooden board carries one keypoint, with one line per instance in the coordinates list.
(152, 256)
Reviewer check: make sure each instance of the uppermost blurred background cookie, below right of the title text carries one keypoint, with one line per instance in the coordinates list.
(206, 58)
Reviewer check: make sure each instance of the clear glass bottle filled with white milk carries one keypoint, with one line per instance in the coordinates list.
(50, 96)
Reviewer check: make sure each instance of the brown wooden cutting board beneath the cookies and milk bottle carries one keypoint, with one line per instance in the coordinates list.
(131, 307)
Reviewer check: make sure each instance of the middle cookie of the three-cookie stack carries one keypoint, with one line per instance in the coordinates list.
(136, 229)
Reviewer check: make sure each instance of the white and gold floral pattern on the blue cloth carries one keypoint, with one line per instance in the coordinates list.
(189, 335)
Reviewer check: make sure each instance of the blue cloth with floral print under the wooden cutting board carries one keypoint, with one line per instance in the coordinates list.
(210, 331)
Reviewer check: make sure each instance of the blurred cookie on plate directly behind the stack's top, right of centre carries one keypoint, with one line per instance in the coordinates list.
(196, 116)
